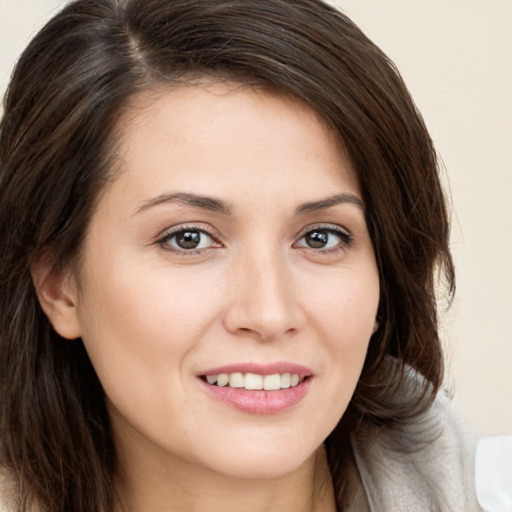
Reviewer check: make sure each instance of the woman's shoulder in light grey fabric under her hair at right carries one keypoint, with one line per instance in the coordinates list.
(428, 464)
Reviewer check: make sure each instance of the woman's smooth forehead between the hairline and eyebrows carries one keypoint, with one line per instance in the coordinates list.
(209, 135)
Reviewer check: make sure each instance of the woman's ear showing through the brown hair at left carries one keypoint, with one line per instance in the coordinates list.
(57, 294)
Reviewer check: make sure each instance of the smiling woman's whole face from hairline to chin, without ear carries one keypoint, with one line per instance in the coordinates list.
(231, 248)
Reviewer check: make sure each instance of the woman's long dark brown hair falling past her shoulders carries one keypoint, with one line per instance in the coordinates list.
(57, 145)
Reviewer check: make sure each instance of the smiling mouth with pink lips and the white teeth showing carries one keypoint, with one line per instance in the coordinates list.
(257, 389)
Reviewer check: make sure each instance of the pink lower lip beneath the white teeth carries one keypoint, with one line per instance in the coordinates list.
(259, 401)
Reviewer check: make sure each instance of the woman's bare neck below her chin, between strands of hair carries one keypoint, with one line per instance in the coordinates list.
(194, 489)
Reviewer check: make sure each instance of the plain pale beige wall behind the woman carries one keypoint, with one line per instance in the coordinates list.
(456, 57)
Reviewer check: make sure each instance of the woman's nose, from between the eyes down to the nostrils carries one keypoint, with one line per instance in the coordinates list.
(262, 303)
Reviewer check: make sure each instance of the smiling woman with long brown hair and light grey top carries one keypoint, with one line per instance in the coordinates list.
(221, 224)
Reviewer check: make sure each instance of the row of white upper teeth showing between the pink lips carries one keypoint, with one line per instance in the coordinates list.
(253, 381)
